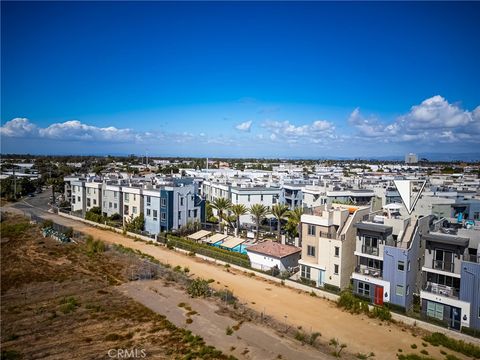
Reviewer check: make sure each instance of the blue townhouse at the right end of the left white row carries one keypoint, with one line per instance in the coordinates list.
(172, 205)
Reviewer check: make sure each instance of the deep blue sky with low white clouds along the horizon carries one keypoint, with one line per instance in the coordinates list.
(240, 79)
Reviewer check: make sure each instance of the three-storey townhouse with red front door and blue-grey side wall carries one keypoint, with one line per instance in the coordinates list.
(388, 257)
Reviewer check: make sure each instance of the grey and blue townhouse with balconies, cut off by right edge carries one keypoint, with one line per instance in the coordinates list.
(451, 279)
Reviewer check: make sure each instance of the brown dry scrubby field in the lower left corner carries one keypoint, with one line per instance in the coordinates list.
(60, 302)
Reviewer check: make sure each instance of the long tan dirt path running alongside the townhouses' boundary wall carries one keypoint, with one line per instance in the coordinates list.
(360, 333)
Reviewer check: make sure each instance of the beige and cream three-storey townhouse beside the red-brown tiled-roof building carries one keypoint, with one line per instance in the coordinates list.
(328, 243)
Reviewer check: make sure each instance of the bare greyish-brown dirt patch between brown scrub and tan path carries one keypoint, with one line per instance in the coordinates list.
(260, 342)
